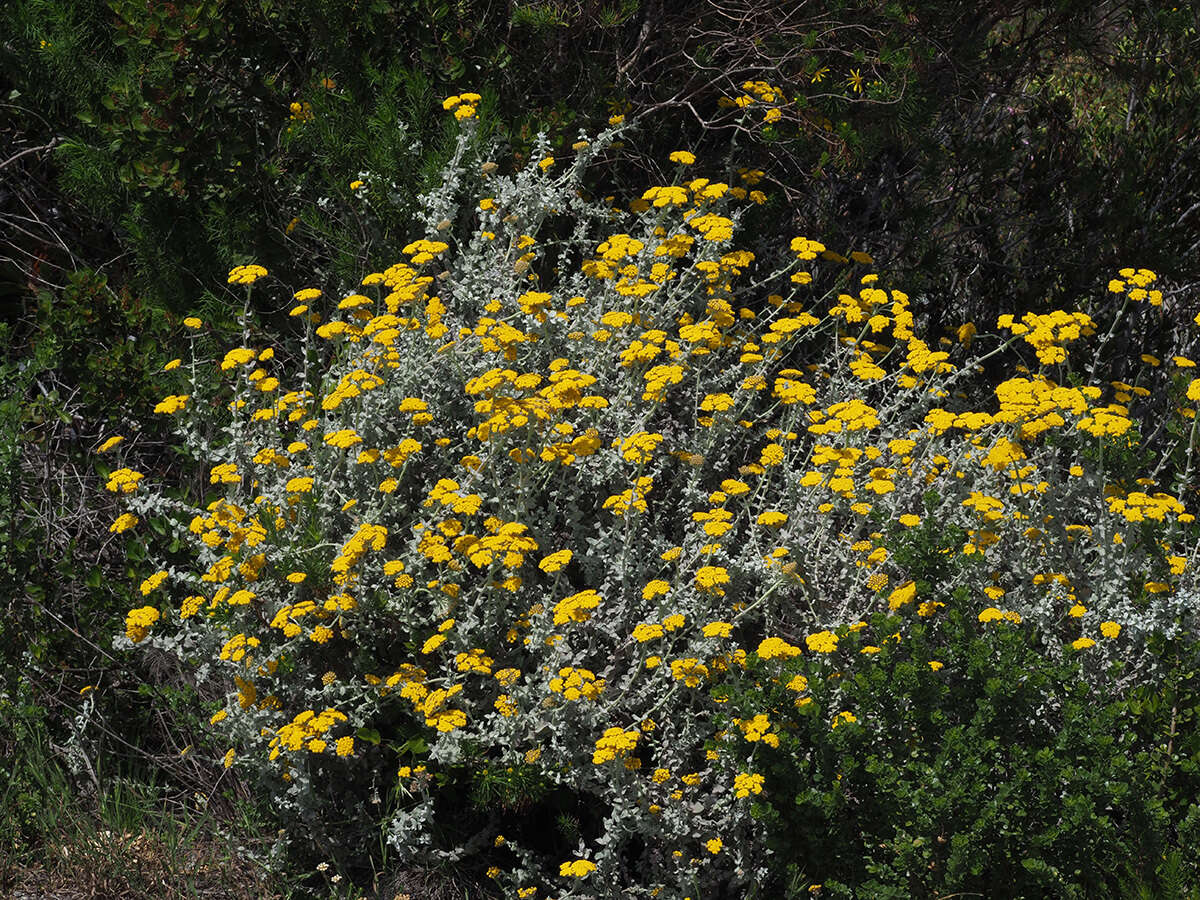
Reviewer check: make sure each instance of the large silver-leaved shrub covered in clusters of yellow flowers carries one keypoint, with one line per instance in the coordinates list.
(541, 500)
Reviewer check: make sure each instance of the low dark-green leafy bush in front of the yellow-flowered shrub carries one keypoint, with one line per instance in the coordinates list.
(965, 759)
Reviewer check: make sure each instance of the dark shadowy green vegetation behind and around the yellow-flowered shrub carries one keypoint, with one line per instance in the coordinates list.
(988, 157)
